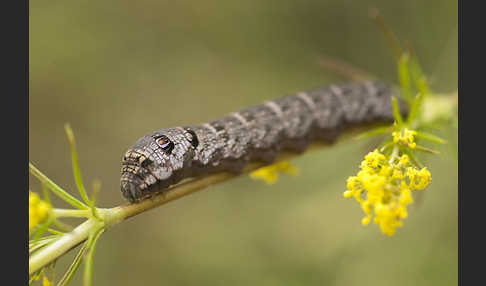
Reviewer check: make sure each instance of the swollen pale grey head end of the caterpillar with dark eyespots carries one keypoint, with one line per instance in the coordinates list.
(156, 161)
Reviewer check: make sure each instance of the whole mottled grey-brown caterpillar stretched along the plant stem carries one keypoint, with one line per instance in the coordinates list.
(165, 157)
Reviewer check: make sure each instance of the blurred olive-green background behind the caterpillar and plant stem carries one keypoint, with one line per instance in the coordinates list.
(119, 69)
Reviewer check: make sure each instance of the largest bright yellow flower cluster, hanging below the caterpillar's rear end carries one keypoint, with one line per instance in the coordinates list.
(384, 187)
